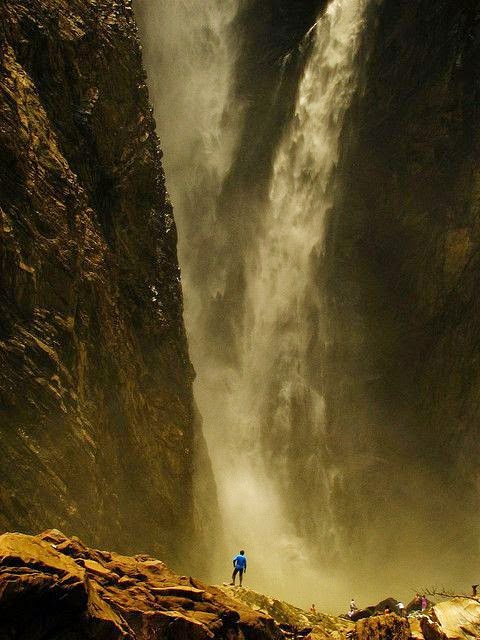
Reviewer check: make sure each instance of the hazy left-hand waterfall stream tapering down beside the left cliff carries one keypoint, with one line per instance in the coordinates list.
(190, 60)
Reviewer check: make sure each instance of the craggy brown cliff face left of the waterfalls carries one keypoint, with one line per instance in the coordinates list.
(97, 424)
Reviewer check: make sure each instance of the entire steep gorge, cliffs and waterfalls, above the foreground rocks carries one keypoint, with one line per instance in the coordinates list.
(322, 158)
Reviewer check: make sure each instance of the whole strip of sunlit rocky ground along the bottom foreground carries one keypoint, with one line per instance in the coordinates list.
(55, 588)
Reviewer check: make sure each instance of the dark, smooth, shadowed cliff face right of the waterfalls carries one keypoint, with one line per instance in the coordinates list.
(402, 275)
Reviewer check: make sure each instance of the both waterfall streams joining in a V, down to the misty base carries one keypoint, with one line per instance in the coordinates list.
(263, 415)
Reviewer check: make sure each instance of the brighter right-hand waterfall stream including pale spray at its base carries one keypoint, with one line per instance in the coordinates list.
(275, 345)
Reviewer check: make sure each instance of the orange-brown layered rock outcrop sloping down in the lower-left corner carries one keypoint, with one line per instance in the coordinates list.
(55, 587)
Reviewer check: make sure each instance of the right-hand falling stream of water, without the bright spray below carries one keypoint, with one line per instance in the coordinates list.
(285, 304)
